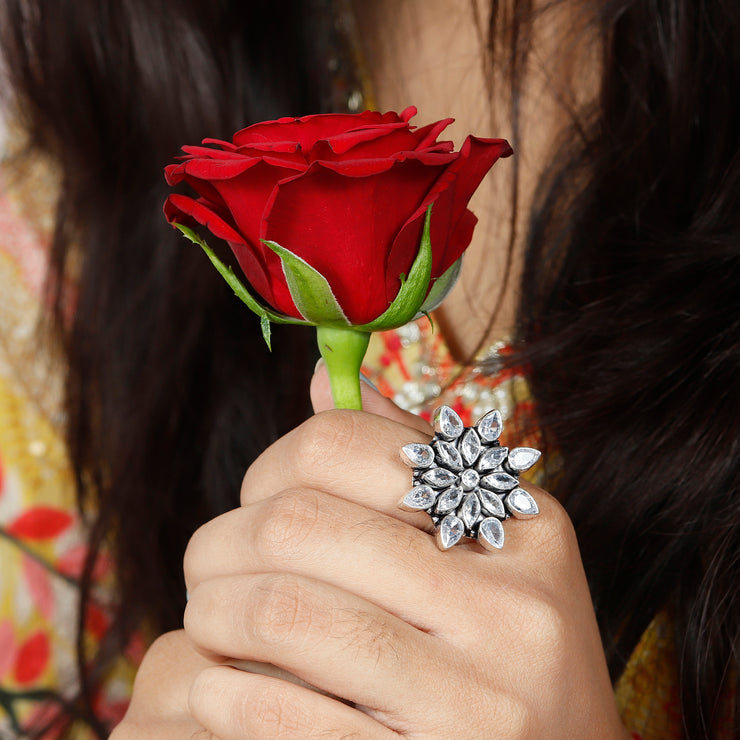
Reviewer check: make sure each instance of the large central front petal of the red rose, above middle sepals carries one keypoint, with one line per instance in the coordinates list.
(362, 212)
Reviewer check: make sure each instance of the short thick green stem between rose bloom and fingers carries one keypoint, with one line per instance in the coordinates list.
(343, 351)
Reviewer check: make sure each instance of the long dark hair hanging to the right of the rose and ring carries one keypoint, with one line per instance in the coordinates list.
(630, 321)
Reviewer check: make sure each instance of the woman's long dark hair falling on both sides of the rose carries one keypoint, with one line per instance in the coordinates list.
(631, 332)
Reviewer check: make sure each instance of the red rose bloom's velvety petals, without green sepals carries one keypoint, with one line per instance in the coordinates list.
(345, 193)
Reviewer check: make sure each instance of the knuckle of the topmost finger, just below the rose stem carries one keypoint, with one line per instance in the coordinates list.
(321, 437)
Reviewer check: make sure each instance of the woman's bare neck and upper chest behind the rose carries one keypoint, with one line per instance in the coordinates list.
(434, 55)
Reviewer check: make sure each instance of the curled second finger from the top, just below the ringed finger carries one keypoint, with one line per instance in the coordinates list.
(313, 534)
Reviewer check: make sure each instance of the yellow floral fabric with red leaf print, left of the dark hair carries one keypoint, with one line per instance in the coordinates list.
(42, 539)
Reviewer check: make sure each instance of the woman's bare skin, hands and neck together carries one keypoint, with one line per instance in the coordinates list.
(343, 617)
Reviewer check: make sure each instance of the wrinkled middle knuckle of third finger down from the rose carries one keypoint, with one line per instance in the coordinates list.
(282, 610)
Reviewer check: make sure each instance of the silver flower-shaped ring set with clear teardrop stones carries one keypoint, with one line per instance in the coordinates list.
(467, 481)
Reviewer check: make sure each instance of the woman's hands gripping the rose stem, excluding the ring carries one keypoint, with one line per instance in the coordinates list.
(321, 574)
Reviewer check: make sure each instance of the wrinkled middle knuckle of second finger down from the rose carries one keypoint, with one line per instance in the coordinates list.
(289, 520)
